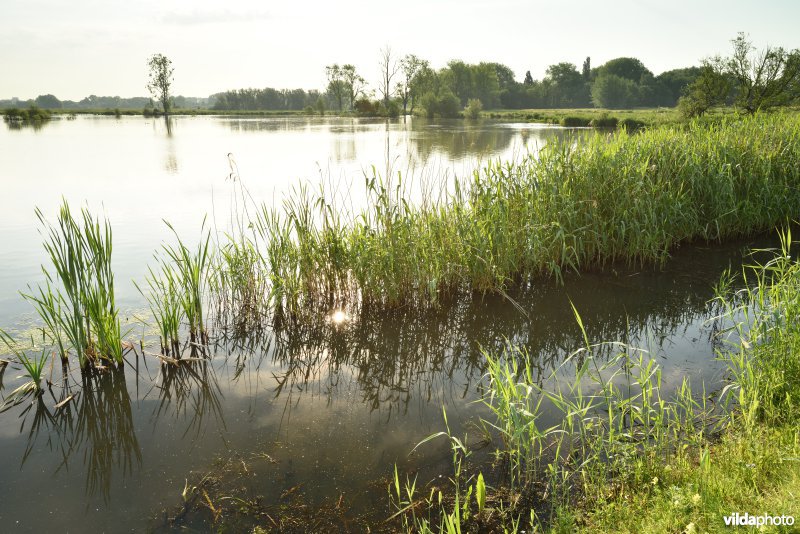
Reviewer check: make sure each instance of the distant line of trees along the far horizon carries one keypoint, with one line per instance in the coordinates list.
(749, 79)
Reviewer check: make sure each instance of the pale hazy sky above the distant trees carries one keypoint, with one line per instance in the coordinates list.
(81, 47)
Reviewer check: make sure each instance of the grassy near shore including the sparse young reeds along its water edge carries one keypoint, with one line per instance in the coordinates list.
(628, 456)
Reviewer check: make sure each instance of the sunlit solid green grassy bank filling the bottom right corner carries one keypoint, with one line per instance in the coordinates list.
(754, 465)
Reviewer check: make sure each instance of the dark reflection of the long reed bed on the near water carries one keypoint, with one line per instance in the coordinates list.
(435, 354)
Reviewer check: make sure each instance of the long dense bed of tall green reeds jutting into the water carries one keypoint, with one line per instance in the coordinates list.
(575, 206)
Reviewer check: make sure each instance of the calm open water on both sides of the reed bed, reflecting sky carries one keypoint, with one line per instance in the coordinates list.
(321, 412)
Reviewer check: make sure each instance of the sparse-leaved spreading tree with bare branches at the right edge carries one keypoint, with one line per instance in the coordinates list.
(765, 78)
